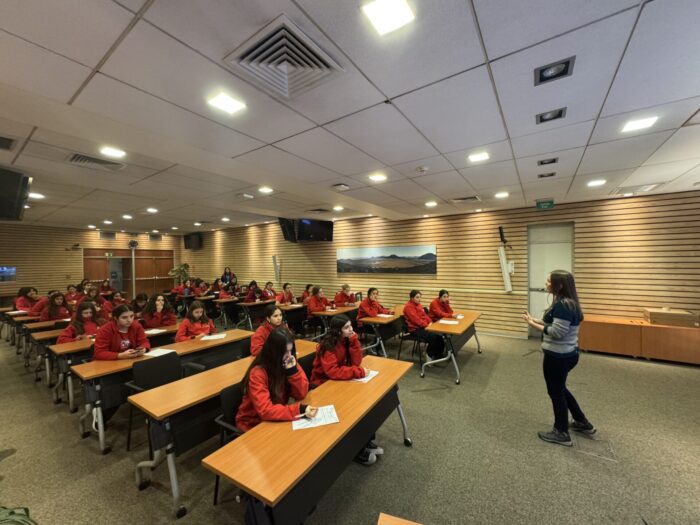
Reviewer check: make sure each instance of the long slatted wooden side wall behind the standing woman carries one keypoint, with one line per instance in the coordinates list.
(629, 253)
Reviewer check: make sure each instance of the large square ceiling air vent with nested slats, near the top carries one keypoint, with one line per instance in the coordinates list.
(283, 60)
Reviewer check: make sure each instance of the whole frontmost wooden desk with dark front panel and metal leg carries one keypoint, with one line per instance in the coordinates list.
(289, 471)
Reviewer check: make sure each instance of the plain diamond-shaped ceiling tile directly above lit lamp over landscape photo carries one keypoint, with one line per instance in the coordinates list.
(384, 133)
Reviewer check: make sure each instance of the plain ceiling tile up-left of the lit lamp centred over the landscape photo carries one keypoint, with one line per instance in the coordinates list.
(322, 147)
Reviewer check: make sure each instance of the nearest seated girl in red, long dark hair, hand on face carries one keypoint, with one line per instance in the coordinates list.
(273, 378)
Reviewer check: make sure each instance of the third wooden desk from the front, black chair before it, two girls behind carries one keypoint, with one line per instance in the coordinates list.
(103, 381)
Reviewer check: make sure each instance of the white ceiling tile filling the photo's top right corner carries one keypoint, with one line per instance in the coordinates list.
(658, 69)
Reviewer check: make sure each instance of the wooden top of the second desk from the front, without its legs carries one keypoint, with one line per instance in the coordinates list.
(164, 401)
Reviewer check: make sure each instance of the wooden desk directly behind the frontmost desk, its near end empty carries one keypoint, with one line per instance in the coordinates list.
(181, 415)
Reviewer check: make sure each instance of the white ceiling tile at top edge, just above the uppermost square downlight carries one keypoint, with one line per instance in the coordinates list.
(508, 26)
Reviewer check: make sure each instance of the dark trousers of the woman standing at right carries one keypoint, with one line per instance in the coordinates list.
(556, 369)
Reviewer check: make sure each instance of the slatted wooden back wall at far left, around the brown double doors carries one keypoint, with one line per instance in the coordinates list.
(44, 259)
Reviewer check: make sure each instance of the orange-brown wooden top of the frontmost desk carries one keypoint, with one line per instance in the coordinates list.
(270, 459)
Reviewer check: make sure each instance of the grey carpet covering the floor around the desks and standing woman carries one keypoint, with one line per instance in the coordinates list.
(476, 457)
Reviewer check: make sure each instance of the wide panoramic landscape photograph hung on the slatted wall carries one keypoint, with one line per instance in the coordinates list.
(388, 259)
